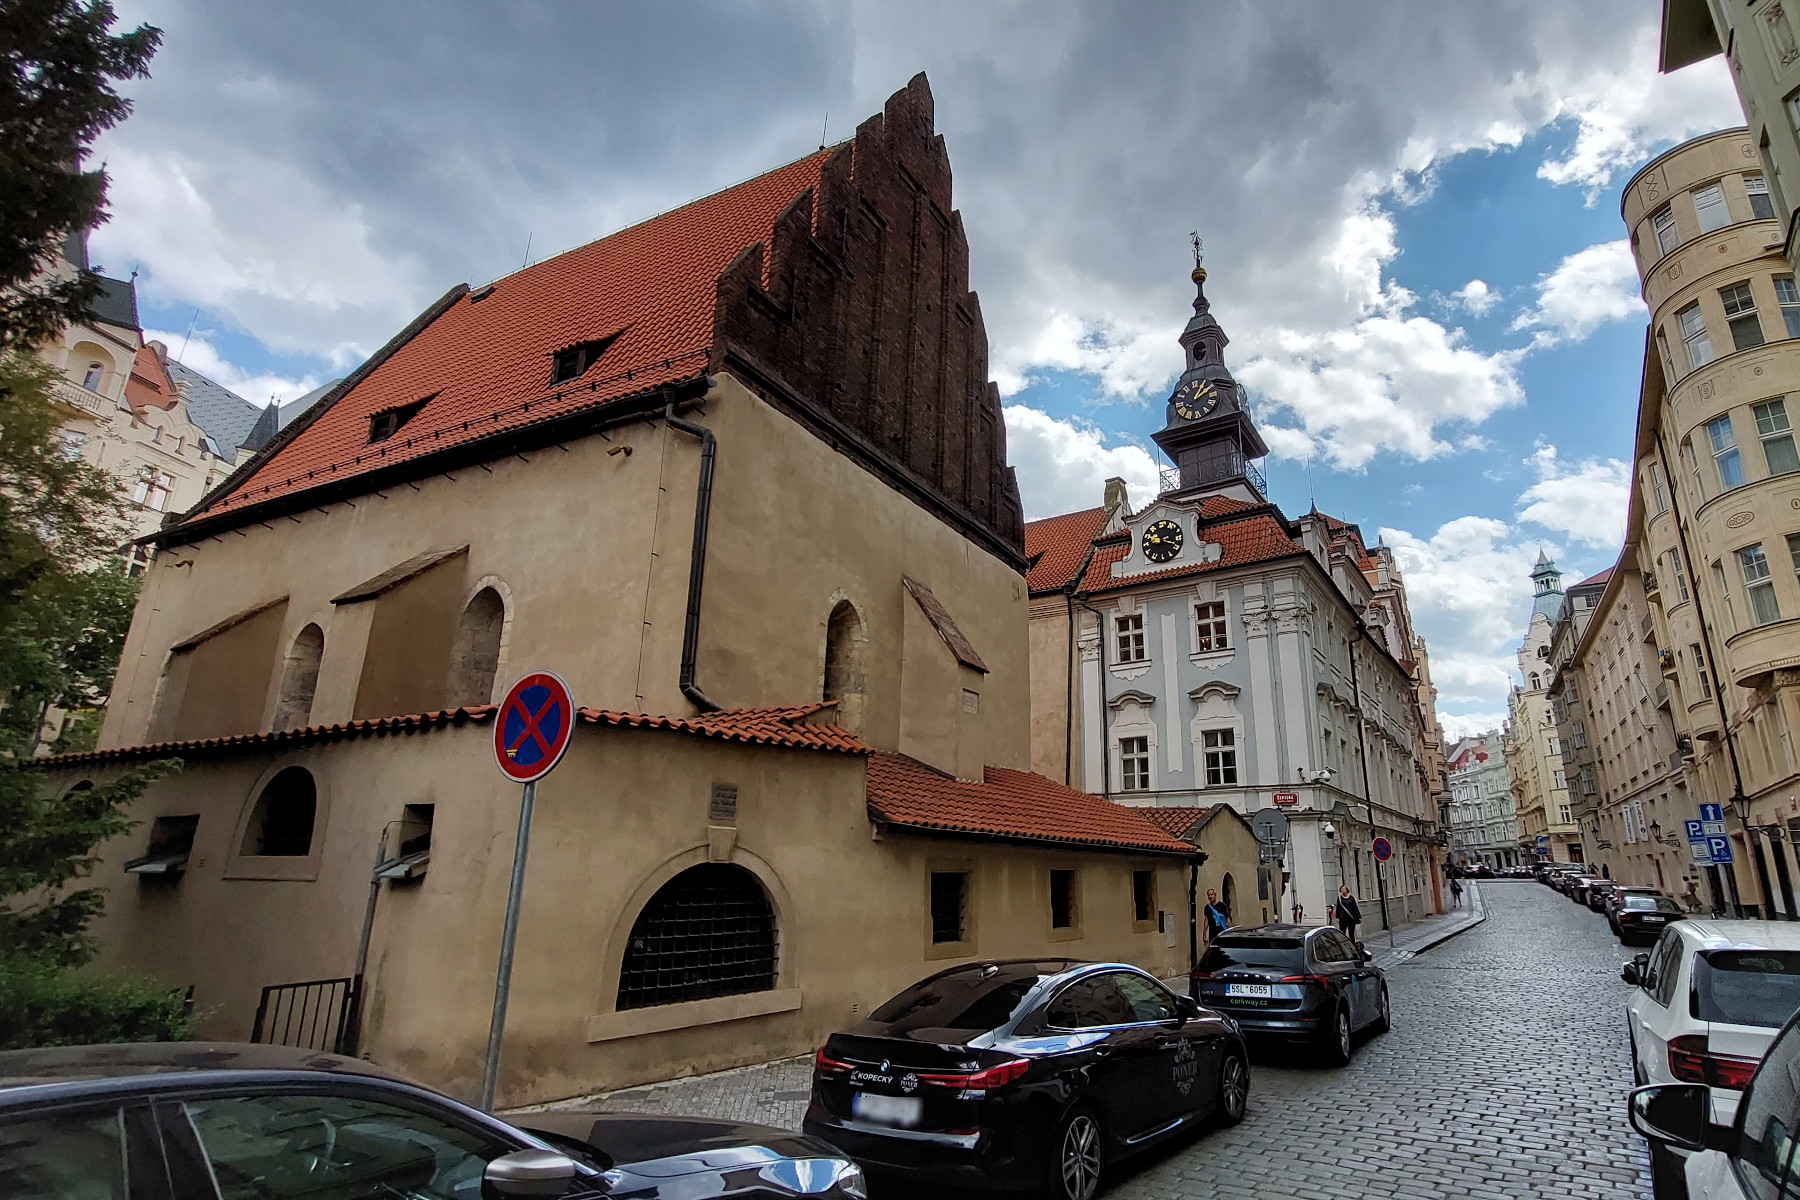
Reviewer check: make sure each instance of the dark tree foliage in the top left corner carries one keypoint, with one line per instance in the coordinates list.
(58, 66)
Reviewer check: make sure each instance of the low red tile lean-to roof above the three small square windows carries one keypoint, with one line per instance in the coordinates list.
(1009, 805)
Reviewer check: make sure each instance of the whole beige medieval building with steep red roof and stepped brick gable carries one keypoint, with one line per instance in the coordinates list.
(739, 476)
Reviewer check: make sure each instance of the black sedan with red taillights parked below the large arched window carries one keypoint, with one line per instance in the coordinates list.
(1025, 1075)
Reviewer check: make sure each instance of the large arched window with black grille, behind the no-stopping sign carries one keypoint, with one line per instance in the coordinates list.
(706, 933)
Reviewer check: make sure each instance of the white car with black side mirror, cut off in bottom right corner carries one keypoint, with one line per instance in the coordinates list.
(1754, 1158)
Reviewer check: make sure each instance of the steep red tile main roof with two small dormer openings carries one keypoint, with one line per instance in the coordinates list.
(485, 361)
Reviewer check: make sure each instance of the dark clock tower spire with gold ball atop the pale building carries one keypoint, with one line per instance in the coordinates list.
(1209, 434)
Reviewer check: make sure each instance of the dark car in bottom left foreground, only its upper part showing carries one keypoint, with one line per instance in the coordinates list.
(224, 1122)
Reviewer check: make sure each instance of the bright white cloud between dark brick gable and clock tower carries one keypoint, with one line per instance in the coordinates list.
(1065, 465)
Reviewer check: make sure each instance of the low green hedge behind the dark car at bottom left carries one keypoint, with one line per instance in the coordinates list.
(46, 1007)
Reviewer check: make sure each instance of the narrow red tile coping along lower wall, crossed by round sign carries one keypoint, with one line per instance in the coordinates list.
(771, 728)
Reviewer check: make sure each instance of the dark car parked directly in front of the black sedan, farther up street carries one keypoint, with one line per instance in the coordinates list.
(1295, 981)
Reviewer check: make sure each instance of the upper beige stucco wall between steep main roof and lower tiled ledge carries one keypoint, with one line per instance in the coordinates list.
(593, 551)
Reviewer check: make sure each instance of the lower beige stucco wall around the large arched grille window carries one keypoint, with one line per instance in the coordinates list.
(622, 816)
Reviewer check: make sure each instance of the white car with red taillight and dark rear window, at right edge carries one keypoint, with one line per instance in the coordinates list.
(1707, 1005)
